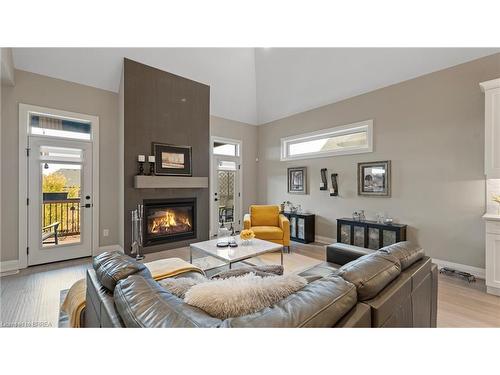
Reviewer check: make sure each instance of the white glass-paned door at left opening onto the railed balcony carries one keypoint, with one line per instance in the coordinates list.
(60, 199)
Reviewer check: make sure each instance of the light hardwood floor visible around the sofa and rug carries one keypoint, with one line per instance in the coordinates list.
(32, 295)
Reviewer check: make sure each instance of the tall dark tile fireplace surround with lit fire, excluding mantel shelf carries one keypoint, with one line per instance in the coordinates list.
(165, 108)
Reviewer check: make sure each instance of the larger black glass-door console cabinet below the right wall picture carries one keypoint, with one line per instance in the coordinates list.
(369, 234)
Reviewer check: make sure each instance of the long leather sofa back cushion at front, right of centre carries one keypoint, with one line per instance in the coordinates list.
(321, 303)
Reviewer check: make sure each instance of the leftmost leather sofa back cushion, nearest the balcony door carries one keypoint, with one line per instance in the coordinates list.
(111, 267)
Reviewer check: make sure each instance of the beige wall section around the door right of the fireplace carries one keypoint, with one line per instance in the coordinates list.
(246, 133)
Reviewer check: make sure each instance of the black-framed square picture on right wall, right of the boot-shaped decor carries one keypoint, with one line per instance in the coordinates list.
(374, 179)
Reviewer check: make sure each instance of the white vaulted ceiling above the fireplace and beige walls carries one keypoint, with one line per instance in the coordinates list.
(254, 85)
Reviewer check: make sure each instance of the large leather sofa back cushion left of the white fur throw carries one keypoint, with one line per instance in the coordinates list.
(142, 302)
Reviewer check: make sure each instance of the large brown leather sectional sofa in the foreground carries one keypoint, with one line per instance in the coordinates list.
(393, 287)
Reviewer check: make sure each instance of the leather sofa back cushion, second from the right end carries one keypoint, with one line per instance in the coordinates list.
(371, 273)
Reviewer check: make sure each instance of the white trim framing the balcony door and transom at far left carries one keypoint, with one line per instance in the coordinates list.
(24, 110)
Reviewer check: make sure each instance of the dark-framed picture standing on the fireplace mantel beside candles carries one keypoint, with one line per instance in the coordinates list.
(172, 160)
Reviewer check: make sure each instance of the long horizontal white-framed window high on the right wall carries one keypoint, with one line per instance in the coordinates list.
(342, 140)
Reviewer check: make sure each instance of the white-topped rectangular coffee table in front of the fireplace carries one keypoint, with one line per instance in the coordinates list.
(232, 255)
